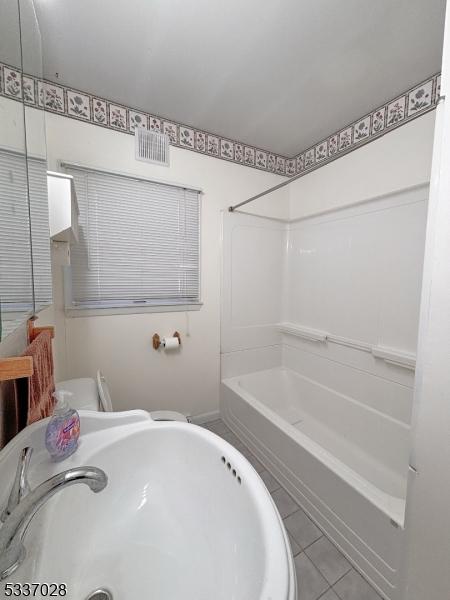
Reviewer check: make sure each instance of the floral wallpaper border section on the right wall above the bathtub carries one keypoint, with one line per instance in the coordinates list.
(404, 108)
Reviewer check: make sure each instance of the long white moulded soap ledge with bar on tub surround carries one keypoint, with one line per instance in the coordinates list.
(389, 355)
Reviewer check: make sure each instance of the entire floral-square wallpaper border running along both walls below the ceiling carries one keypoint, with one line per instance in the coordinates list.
(89, 108)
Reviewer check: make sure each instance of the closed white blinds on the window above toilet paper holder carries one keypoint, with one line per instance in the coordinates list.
(138, 242)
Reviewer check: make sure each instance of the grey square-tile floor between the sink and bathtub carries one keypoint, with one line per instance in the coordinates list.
(322, 571)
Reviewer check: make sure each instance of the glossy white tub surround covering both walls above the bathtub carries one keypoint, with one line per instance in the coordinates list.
(354, 273)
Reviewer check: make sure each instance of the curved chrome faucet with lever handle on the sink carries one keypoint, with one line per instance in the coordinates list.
(23, 505)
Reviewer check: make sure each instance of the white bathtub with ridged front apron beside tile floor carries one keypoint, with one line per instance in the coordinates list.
(344, 462)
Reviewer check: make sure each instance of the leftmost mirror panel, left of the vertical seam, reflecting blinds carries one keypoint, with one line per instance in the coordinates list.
(16, 283)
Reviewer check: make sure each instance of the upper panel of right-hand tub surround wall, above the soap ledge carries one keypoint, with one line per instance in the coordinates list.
(356, 272)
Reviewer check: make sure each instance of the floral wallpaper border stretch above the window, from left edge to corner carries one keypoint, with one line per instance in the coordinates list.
(96, 110)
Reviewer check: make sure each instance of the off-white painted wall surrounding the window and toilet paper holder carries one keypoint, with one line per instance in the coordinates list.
(120, 345)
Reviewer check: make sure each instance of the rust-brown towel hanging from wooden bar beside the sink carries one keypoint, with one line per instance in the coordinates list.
(41, 384)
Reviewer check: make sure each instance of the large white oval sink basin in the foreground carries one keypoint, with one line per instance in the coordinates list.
(184, 516)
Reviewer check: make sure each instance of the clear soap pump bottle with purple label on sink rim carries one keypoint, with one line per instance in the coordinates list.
(63, 429)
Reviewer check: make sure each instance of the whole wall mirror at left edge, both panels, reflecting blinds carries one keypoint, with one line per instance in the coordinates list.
(25, 266)
